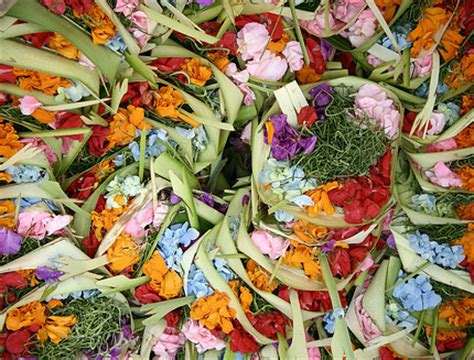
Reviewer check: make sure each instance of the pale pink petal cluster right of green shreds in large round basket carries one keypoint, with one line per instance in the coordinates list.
(372, 101)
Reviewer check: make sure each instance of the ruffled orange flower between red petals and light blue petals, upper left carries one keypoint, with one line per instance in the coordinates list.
(124, 126)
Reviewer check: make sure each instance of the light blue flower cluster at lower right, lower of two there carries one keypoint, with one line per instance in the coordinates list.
(416, 294)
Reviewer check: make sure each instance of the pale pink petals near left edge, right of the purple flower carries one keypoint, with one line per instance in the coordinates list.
(39, 224)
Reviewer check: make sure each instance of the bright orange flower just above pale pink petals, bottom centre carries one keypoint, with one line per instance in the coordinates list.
(213, 312)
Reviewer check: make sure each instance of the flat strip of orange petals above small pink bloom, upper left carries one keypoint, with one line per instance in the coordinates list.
(34, 80)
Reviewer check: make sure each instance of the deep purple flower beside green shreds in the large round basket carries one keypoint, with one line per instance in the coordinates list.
(287, 142)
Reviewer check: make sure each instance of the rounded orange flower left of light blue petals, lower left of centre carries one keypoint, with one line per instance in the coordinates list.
(123, 254)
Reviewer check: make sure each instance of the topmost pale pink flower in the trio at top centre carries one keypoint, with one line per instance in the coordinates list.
(252, 40)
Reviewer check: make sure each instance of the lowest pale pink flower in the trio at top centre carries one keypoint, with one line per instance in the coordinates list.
(269, 67)
